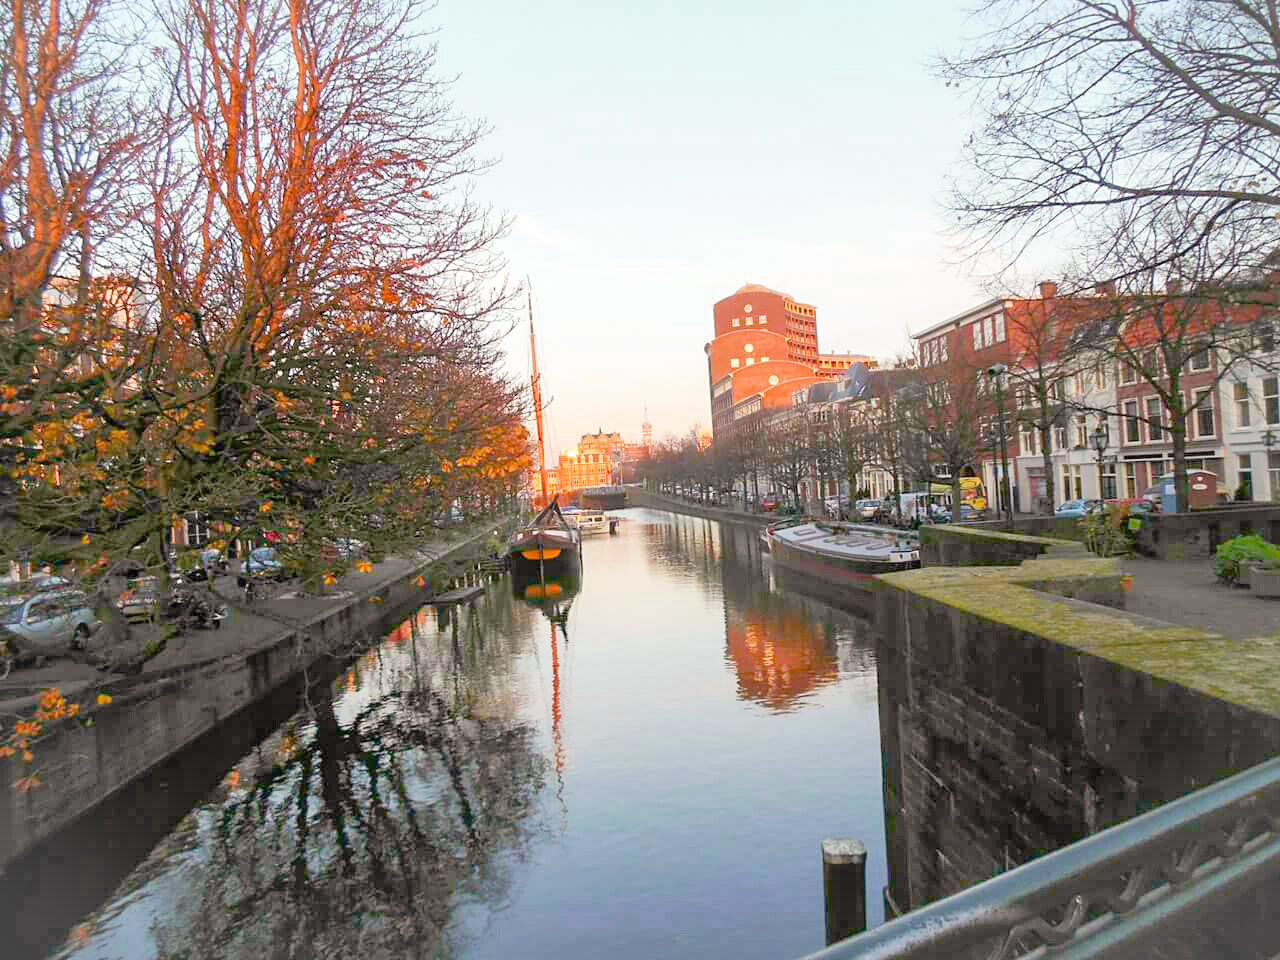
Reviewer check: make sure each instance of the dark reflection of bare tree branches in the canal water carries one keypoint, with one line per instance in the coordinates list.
(356, 838)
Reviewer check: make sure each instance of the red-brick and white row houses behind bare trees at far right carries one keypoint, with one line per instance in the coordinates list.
(1100, 401)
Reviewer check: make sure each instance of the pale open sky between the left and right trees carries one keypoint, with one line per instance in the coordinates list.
(657, 157)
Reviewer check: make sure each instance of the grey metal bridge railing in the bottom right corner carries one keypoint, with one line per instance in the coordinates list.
(1109, 894)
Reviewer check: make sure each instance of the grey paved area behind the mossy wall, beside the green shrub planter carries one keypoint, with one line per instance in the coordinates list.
(1187, 593)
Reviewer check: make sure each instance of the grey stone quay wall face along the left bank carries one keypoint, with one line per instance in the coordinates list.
(157, 715)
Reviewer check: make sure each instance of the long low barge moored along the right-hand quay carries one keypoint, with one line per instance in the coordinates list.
(843, 554)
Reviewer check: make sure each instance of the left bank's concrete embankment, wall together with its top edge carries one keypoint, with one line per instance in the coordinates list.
(185, 694)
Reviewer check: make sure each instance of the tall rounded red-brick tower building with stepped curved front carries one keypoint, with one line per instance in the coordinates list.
(765, 350)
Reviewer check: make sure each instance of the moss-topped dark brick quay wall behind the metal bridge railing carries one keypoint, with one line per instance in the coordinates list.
(1022, 708)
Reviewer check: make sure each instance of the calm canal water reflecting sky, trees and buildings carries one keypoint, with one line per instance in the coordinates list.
(639, 765)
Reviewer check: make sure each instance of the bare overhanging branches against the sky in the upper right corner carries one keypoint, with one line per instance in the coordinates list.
(1110, 120)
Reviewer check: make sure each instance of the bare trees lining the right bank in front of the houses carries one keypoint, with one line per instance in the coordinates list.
(1142, 141)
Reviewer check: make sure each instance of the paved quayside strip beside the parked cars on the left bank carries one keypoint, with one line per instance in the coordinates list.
(246, 629)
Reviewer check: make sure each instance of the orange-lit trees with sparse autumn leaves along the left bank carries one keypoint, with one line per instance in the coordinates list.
(245, 280)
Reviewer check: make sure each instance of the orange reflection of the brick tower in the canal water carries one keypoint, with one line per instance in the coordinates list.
(780, 656)
